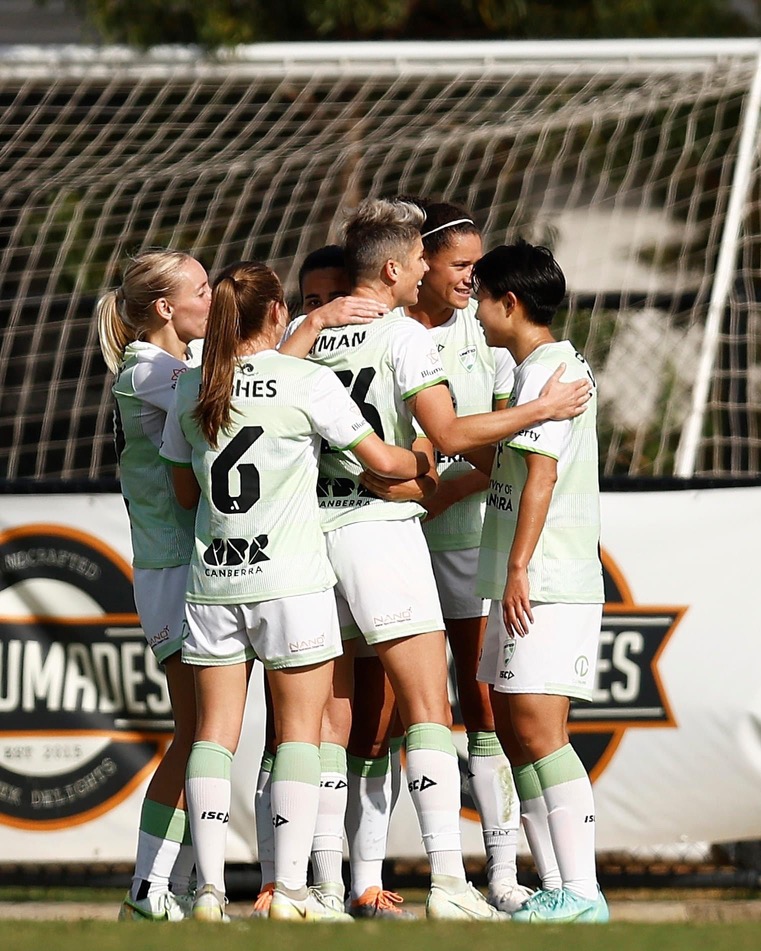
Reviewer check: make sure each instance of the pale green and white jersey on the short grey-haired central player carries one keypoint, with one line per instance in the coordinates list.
(381, 364)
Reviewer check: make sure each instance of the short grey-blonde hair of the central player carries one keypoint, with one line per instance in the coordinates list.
(376, 231)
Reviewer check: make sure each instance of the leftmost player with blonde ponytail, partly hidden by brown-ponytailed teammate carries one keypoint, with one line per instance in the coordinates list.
(145, 327)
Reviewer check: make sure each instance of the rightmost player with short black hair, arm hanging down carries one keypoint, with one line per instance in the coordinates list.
(540, 565)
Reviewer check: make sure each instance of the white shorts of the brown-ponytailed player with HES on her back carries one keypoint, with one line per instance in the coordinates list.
(285, 632)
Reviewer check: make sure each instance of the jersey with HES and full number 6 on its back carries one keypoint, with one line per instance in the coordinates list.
(258, 532)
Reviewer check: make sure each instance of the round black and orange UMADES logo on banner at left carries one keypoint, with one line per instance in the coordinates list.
(84, 703)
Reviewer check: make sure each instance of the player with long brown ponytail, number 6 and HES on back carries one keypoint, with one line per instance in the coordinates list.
(244, 434)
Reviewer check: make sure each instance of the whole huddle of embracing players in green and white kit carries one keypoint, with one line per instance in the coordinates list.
(411, 461)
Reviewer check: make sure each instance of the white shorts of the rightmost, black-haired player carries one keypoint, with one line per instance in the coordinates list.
(558, 656)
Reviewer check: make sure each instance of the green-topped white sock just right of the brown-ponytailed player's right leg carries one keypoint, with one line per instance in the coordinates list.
(328, 843)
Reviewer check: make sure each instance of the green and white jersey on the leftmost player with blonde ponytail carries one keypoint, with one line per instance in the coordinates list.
(144, 390)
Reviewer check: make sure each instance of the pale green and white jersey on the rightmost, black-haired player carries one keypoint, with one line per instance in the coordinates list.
(565, 566)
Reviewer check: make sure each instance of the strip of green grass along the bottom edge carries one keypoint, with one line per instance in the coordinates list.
(374, 936)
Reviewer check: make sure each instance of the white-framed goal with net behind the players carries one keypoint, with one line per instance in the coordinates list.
(636, 162)
